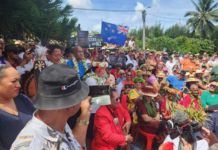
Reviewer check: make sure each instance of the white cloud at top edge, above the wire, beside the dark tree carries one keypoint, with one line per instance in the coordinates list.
(81, 3)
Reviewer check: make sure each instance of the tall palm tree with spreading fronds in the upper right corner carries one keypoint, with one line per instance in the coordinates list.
(203, 18)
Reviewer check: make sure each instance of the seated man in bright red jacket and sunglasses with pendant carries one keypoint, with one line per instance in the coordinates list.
(111, 126)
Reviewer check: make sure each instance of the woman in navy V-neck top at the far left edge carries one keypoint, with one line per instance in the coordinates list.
(15, 109)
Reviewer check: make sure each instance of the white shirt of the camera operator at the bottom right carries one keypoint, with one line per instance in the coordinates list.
(201, 144)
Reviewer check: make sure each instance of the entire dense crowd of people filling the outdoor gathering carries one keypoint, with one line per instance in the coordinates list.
(44, 102)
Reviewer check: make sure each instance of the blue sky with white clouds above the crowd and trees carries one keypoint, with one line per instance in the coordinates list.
(91, 20)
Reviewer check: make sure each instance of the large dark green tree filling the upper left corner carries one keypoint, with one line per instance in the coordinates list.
(43, 19)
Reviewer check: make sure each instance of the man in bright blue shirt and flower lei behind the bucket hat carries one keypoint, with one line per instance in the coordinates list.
(78, 61)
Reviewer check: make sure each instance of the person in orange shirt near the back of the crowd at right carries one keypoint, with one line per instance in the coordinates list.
(190, 62)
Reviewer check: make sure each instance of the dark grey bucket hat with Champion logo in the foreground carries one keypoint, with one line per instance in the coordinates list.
(59, 87)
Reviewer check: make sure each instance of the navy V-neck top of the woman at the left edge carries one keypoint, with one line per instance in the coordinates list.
(11, 125)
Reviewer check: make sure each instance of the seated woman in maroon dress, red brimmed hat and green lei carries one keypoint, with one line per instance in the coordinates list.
(148, 114)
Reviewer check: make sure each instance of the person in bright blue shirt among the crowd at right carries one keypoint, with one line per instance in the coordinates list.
(177, 81)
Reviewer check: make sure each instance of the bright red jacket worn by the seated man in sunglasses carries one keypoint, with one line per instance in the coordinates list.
(106, 135)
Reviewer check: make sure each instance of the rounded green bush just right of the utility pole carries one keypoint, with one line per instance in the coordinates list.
(161, 42)
